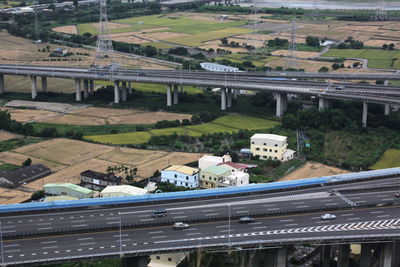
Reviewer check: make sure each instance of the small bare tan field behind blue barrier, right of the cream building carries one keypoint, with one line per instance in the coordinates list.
(312, 169)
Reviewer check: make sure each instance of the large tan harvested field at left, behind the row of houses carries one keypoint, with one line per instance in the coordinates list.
(68, 158)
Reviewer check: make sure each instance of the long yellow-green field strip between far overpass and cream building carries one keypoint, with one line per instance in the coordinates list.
(227, 123)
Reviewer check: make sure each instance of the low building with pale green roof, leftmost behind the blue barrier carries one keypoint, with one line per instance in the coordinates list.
(68, 189)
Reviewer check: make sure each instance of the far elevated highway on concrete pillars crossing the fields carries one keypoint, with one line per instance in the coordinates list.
(228, 82)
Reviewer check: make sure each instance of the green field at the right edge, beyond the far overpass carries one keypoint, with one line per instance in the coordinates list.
(377, 58)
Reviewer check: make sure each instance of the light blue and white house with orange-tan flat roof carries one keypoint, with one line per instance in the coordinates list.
(181, 175)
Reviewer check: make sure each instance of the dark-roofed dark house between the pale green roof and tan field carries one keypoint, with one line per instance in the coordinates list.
(98, 181)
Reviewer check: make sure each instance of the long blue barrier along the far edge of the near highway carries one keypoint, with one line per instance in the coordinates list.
(206, 193)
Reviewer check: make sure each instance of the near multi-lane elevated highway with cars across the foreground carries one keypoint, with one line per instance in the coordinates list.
(367, 212)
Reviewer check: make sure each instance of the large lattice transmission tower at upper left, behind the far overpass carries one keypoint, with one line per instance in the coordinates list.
(104, 49)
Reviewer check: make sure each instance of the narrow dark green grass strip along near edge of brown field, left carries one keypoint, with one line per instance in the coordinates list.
(88, 129)
